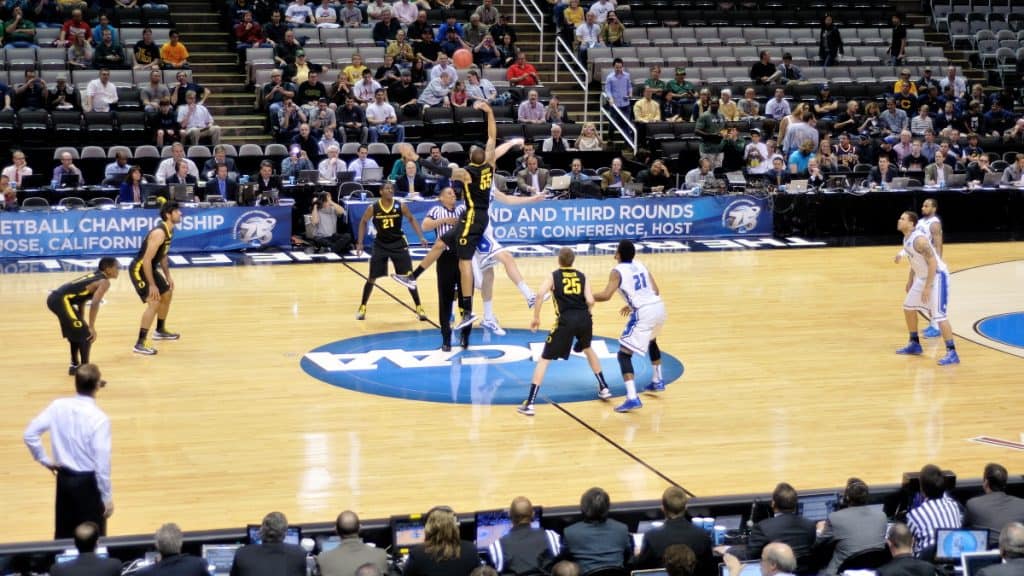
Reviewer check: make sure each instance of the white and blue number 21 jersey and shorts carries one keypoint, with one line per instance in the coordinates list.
(649, 314)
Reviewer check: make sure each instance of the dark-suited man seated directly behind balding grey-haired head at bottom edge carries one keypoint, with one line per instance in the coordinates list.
(785, 526)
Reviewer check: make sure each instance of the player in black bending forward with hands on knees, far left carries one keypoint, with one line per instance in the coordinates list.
(68, 303)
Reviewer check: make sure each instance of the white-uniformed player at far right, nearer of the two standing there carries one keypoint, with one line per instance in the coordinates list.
(927, 289)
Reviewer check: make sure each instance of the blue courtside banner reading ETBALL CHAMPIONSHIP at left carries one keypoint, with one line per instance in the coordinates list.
(122, 232)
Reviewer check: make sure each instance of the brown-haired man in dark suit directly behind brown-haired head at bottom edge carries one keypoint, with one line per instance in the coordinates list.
(676, 530)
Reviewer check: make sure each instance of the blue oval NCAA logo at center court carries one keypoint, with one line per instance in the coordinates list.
(495, 371)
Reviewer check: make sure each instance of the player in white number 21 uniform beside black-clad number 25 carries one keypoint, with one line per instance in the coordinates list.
(647, 317)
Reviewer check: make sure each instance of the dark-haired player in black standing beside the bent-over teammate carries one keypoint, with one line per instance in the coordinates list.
(156, 287)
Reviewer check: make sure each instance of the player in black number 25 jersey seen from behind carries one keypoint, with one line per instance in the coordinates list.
(571, 293)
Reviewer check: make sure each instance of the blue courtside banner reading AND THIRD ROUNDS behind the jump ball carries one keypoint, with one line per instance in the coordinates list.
(611, 221)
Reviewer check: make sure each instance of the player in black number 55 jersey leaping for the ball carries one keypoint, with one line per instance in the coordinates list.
(478, 179)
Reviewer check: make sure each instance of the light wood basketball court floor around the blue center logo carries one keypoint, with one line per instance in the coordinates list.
(790, 376)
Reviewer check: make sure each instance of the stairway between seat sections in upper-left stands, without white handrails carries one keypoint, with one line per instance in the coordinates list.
(216, 66)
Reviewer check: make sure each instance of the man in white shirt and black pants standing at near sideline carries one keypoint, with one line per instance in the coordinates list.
(80, 441)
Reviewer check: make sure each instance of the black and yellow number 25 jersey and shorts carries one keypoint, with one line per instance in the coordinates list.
(574, 321)
